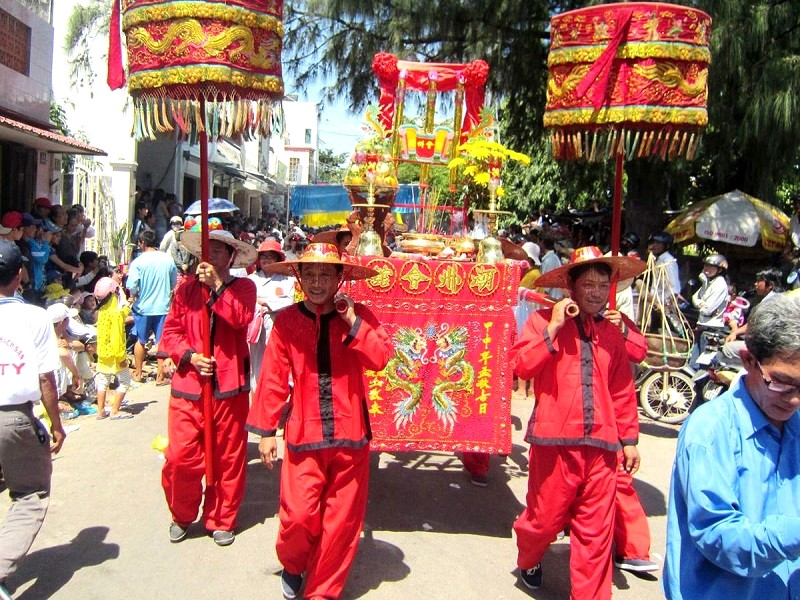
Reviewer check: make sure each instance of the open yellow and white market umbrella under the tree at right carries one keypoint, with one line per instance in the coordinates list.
(733, 218)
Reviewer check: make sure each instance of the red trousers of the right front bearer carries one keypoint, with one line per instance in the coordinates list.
(575, 485)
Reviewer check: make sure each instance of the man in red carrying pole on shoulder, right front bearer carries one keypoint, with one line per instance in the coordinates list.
(585, 411)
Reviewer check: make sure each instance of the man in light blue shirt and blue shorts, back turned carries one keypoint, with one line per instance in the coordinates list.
(151, 279)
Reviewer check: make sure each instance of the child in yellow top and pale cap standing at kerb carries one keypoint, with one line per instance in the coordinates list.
(112, 359)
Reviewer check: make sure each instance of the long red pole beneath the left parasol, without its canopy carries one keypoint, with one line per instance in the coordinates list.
(208, 389)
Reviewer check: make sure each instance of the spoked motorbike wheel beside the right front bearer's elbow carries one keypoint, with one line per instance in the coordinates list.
(667, 396)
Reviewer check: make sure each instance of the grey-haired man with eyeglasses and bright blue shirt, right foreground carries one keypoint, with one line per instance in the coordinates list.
(733, 525)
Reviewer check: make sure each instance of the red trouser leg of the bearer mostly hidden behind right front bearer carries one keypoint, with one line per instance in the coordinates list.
(631, 531)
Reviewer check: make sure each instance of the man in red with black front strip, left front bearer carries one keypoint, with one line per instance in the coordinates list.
(325, 470)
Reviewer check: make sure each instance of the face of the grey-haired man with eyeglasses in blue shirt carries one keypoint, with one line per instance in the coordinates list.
(774, 385)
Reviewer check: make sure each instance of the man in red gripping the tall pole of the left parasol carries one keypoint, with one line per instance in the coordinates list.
(232, 302)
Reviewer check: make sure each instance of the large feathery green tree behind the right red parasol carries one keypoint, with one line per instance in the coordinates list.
(753, 103)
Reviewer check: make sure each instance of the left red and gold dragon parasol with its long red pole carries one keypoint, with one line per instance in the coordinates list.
(200, 70)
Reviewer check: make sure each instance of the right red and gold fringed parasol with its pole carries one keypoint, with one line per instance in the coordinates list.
(627, 80)
